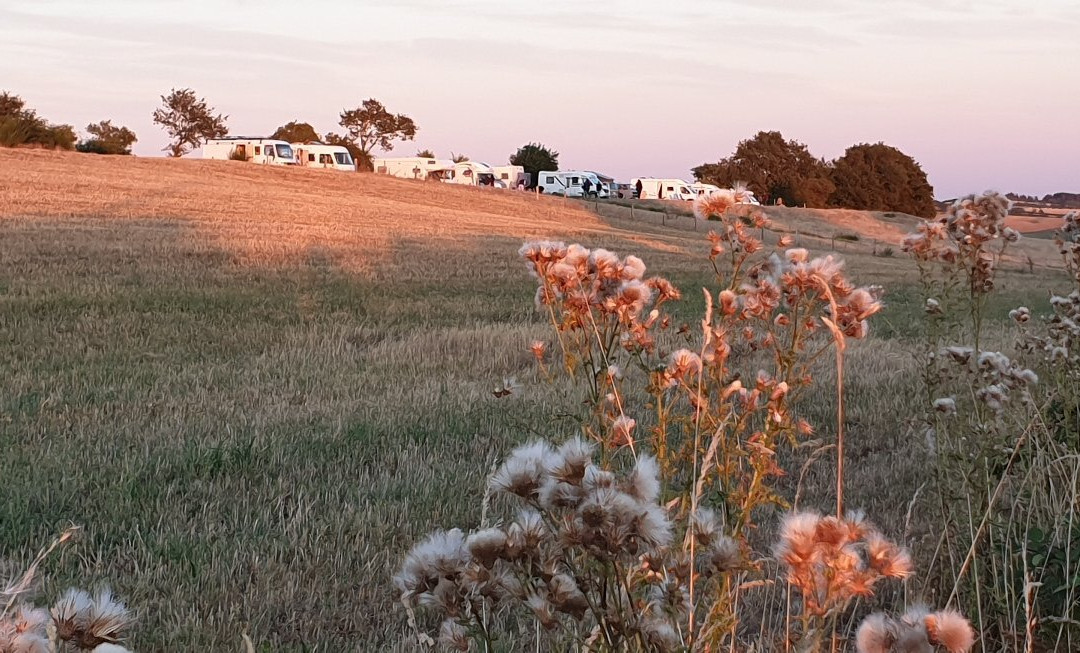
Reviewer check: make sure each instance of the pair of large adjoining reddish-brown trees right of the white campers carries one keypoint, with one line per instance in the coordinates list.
(868, 176)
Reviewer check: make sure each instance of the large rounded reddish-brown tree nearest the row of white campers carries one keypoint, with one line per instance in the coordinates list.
(773, 169)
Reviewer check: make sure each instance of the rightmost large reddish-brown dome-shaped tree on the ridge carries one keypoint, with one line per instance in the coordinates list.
(881, 178)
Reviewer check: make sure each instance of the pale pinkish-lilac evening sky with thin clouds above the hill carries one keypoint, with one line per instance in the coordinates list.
(983, 94)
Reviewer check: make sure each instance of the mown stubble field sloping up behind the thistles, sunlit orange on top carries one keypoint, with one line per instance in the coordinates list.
(255, 388)
